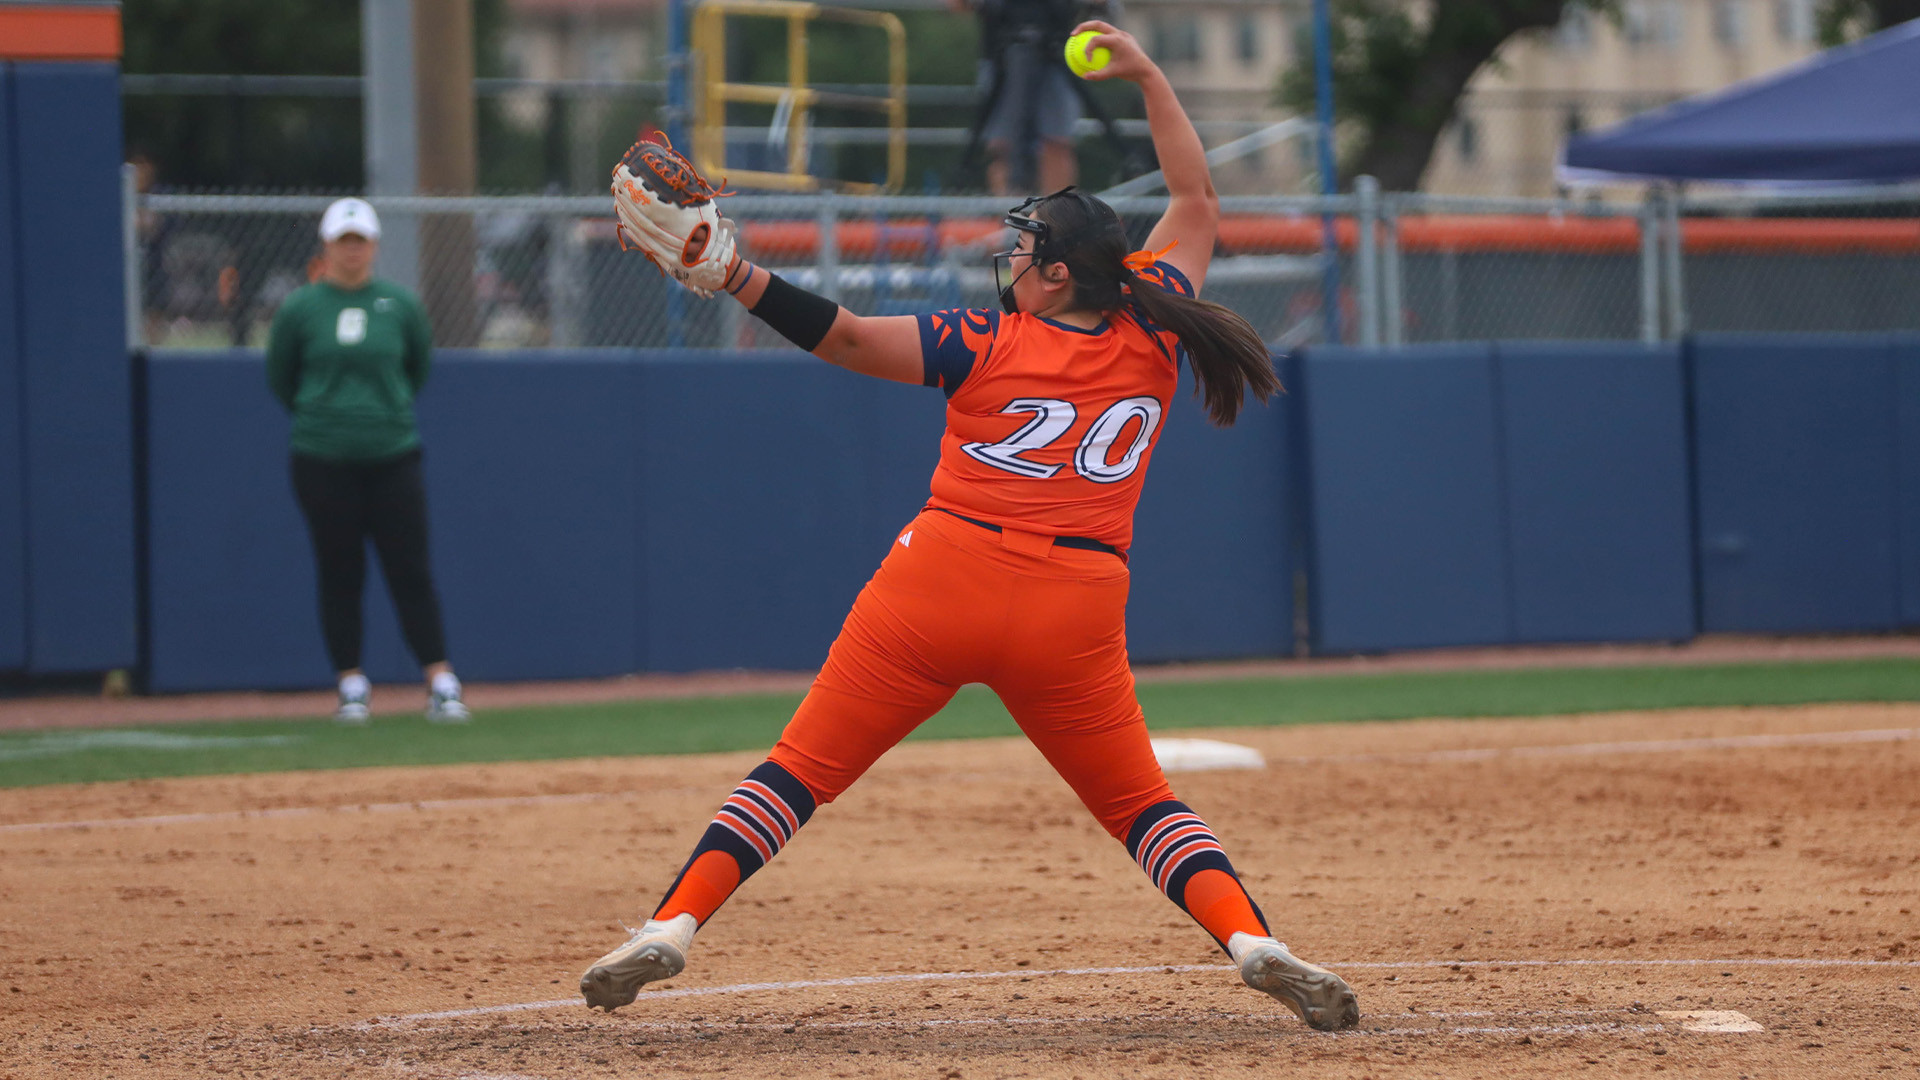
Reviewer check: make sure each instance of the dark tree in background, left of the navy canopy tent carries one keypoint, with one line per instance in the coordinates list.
(1401, 70)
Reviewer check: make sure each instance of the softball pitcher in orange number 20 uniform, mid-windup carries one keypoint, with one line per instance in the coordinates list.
(1017, 572)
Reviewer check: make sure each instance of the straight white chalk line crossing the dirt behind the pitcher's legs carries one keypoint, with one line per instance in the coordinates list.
(1418, 758)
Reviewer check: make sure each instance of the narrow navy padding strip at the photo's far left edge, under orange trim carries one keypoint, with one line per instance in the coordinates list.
(12, 443)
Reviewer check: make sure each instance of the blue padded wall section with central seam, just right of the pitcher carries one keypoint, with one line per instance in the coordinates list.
(1497, 495)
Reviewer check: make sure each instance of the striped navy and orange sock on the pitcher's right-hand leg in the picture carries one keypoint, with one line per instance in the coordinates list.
(1186, 862)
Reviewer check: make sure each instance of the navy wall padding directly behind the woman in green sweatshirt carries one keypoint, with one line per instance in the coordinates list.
(535, 516)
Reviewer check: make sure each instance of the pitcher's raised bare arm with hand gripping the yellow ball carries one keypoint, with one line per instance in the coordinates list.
(1193, 207)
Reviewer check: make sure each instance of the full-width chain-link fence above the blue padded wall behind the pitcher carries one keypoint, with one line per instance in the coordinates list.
(537, 272)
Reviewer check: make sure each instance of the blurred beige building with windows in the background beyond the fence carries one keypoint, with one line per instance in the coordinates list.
(1226, 61)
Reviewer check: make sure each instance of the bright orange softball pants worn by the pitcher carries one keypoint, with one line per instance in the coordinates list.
(1045, 627)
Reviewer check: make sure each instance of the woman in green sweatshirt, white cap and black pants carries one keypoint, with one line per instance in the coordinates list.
(347, 356)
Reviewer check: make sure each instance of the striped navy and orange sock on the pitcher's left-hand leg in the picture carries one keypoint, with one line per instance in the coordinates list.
(754, 825)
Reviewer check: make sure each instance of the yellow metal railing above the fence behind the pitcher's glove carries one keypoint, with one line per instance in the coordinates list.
(796, 101)
